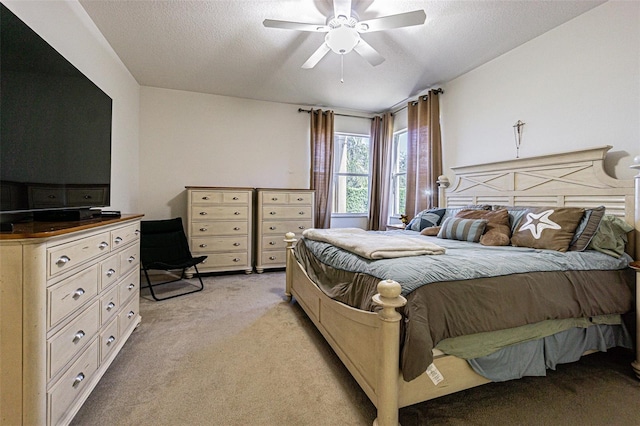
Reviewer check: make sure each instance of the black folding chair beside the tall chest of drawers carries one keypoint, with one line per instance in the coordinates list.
(164, 246)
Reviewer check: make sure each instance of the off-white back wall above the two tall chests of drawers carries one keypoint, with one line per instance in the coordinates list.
(195, 139)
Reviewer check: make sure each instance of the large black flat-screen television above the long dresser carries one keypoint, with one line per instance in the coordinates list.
(55, 127)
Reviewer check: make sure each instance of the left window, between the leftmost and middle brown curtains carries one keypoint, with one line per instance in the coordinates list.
(351, 174)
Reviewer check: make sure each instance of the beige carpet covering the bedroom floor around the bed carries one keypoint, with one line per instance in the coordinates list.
(238, 354)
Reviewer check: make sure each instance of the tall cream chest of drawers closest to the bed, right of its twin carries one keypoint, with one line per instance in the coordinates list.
(280, 211)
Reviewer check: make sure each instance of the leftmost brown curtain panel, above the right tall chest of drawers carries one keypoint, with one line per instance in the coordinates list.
(322, 165)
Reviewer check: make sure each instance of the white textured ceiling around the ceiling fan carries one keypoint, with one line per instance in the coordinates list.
(221, 47)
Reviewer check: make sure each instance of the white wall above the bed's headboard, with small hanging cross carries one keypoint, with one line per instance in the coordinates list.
(577, 86)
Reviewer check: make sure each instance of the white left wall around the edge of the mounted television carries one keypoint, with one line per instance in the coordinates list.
(66, 26)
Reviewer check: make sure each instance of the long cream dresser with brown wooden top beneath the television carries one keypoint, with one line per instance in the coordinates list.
(69, 297)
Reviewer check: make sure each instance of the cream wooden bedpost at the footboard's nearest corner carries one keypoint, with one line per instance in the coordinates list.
(389, 373)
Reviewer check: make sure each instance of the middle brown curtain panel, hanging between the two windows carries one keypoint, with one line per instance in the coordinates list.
(381, 158)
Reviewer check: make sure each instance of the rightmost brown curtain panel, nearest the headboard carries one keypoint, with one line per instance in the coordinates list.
(424, 153)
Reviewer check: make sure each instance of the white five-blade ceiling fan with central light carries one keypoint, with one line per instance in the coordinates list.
(344, 28)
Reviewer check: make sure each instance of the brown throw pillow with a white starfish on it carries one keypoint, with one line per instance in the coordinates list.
(550, 228)
